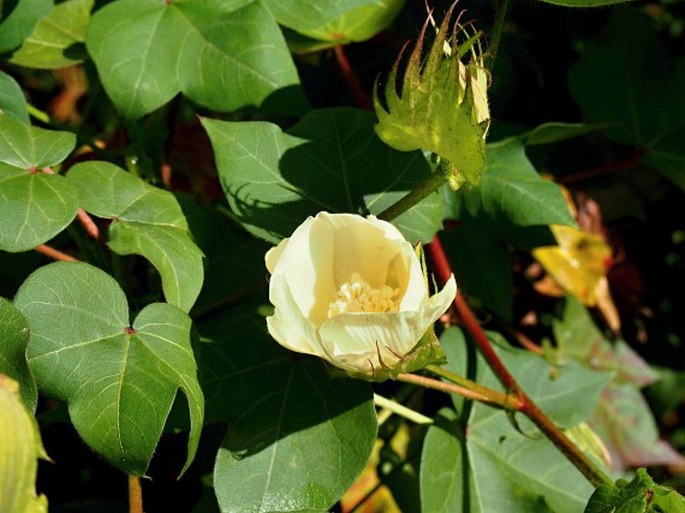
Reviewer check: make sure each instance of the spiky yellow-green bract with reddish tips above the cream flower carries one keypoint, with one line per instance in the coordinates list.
(442, 106)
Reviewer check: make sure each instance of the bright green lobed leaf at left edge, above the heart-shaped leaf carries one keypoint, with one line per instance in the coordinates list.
(34, 206)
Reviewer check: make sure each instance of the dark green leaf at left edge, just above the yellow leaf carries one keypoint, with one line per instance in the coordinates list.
(14, 337)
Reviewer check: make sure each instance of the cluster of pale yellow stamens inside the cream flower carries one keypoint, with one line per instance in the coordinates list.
(357, 295)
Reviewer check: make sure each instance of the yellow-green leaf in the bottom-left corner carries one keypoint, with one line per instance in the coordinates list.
(20, 449)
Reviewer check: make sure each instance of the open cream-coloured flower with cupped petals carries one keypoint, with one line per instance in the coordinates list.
(352, 291)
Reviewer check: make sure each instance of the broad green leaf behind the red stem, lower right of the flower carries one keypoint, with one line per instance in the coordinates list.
(516, 471)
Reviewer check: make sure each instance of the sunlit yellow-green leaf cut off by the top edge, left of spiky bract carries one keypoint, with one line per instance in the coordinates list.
(336, 21)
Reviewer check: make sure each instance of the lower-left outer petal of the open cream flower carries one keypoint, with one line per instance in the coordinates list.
(288, 325)
